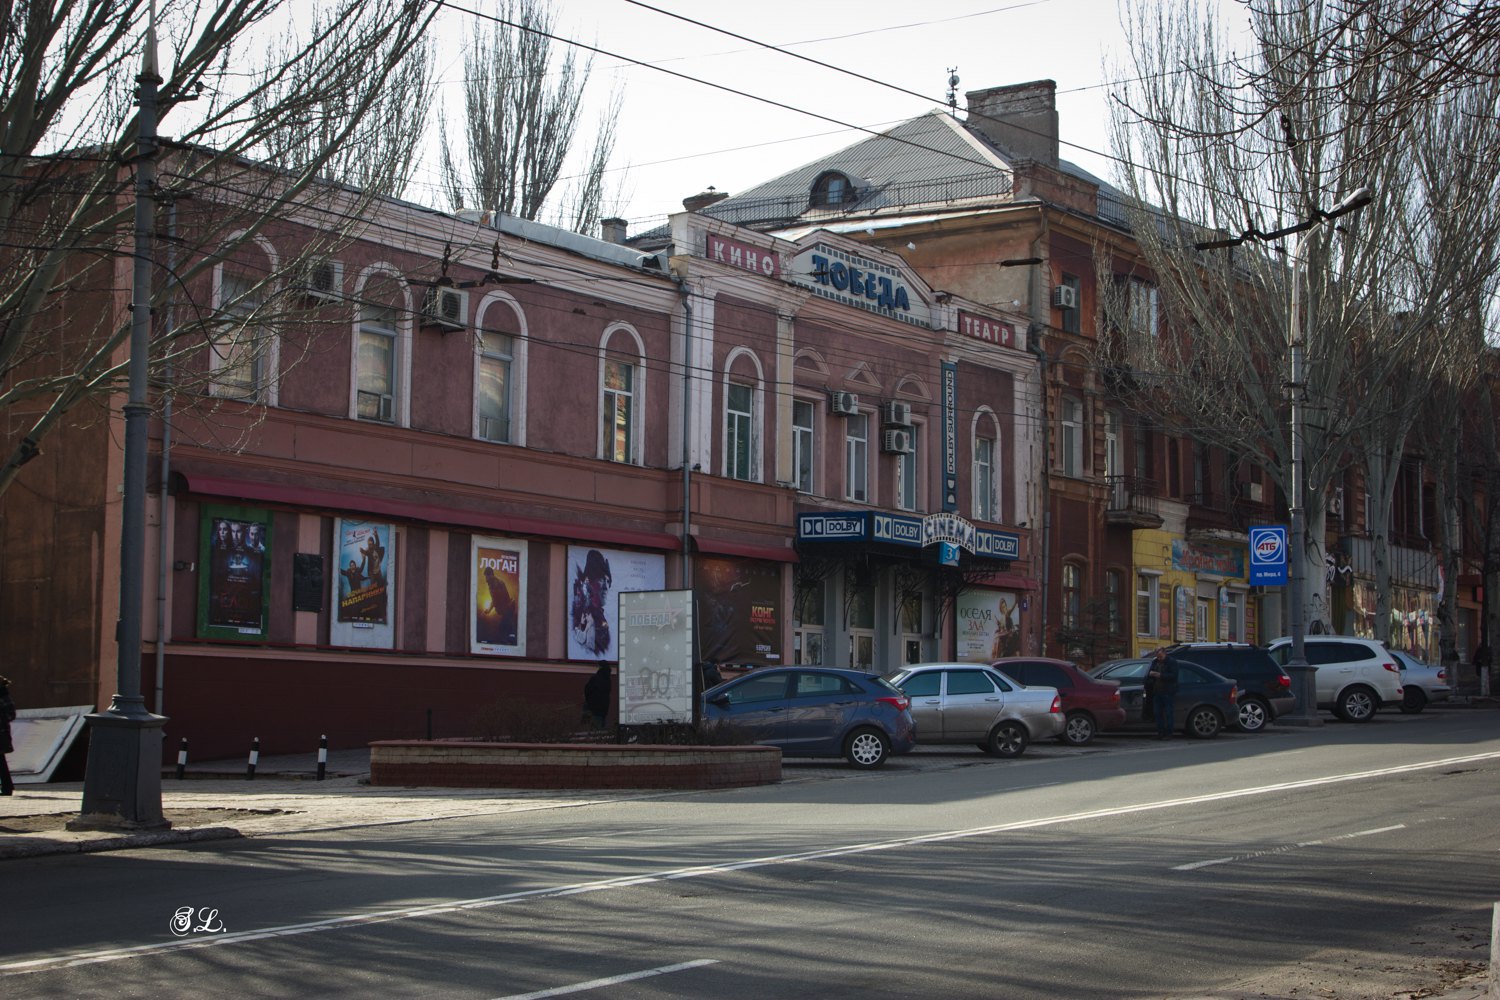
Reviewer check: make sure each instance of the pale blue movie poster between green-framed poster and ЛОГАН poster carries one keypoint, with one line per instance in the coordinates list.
(364, 585)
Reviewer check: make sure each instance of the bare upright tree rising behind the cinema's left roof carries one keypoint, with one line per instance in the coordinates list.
(523, 112)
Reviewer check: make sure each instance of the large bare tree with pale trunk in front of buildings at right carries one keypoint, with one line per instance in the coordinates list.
(1261, 149)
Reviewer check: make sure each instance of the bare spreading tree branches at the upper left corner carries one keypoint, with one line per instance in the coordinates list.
(65, 206)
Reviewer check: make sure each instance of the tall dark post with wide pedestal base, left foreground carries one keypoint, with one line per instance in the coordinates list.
(124, 773)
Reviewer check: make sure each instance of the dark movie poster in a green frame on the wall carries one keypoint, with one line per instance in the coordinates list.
(235, 585)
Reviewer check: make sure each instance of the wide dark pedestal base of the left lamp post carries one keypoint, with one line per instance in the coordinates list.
(124, 776)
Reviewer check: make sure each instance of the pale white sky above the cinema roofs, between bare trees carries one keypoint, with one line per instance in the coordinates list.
(679, 137)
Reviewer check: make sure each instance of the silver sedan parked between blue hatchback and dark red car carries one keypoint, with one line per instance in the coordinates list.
(976, 704)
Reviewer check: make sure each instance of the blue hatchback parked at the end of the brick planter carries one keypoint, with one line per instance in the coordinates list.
(817, 713)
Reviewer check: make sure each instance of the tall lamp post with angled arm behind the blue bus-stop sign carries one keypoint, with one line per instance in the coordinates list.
(1304, 675)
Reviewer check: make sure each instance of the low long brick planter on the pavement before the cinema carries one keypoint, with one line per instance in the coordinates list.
(476, 765)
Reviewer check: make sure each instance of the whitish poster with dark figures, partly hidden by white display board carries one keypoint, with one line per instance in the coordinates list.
(596, 581)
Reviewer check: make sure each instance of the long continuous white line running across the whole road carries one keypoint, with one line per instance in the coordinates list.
(551, 893)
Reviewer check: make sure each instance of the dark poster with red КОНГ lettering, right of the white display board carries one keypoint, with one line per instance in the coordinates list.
(740, 608)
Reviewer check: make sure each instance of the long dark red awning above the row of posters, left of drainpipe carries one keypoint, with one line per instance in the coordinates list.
(268, 493)
